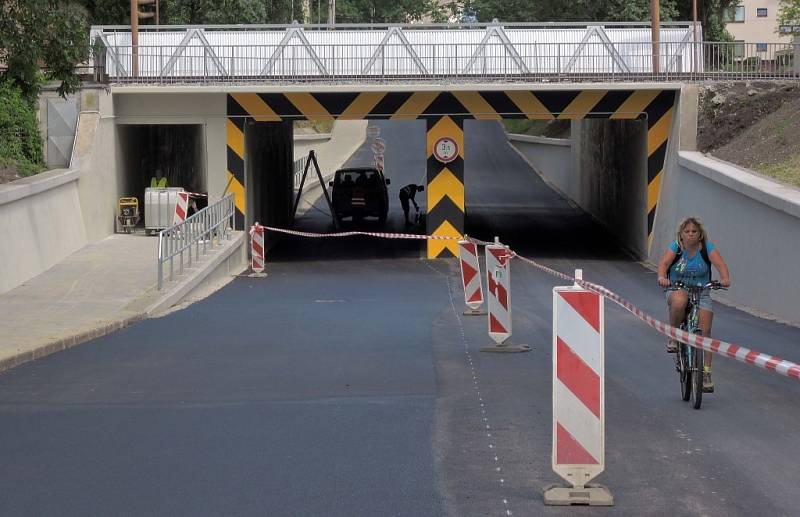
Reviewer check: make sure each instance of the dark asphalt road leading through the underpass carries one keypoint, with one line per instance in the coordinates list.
(348, 383)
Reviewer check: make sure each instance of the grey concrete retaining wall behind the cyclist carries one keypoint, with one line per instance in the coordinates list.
(754, 221)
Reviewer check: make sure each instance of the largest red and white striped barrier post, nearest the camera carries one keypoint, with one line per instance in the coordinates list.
(578, 396)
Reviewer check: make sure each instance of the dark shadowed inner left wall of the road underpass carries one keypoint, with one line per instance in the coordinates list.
(269, 152)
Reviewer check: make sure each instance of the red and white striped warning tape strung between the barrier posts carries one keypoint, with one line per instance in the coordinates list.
(739, 353)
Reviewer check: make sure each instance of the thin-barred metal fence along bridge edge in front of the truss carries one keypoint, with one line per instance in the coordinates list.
(453, 63)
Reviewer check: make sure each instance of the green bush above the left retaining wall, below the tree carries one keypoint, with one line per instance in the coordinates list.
(20, 141)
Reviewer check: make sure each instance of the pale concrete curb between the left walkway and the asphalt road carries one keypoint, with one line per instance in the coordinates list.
(183, 287)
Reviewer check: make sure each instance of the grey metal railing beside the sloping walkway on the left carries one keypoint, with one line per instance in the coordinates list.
(195, 236)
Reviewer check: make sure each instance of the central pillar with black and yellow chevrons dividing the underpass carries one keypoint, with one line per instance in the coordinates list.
(445, 187)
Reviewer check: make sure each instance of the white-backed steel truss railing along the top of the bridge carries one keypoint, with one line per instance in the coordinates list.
(466, 53)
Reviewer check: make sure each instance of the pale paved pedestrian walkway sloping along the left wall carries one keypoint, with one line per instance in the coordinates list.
(102, 287)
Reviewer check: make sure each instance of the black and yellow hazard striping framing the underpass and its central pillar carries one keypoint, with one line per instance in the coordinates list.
(451, 108)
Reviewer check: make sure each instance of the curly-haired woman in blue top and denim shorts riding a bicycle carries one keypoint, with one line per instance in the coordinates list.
(688, 259)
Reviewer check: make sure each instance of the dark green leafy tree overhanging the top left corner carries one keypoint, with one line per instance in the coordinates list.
(42, 34)
